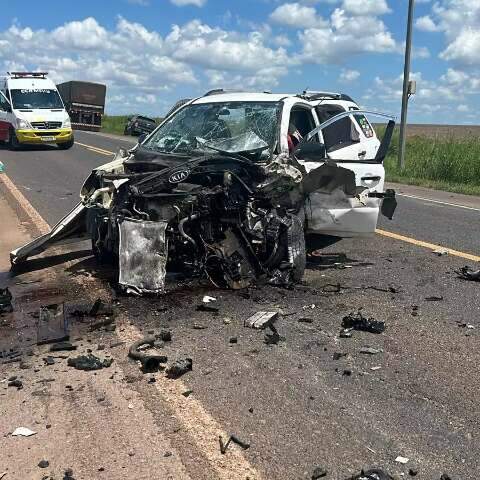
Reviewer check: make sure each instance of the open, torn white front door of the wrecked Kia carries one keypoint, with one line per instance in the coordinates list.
(341, 213)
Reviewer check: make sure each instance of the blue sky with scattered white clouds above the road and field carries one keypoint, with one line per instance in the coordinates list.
(151, 53)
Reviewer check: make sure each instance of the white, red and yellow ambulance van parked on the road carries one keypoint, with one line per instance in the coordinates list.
(32, 111)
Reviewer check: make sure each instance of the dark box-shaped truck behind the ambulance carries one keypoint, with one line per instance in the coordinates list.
(85, 103)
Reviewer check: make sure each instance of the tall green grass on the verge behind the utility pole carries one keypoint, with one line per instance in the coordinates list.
(444, 163)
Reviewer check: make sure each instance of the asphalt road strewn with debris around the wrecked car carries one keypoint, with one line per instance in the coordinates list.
(313, 399)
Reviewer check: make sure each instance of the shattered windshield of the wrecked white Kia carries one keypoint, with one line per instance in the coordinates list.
(232, 127)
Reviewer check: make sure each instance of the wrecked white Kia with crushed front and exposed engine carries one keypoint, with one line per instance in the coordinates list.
(226, 187)
